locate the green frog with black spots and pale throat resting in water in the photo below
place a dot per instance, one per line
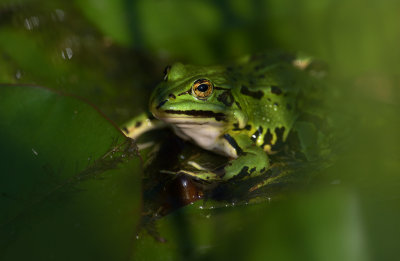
(243, 110)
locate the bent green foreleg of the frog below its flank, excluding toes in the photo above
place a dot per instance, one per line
(251, 159)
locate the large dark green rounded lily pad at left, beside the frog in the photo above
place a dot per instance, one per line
(69, 182)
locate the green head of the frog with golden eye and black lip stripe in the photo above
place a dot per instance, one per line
(195, 95)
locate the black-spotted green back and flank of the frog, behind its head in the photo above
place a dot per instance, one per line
(269, 92)
